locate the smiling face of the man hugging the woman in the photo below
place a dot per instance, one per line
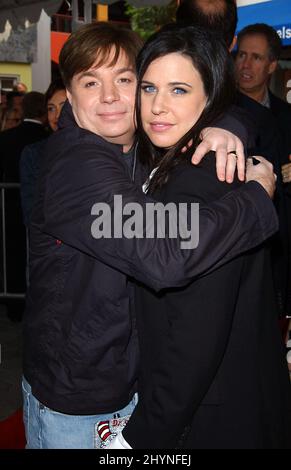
(103, 100)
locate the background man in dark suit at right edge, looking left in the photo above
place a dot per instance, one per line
(258, 53)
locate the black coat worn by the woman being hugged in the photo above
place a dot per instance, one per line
(213, 364)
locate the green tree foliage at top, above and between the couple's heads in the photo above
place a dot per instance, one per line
(148, 20)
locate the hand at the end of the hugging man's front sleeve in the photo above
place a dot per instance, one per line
(262, 173)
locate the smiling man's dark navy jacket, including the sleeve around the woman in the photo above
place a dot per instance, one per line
(80, 346)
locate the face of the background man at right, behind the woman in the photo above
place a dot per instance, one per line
(253, 65)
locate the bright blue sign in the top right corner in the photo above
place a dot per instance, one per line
(276, 13)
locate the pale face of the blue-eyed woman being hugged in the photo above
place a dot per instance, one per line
(172, 99)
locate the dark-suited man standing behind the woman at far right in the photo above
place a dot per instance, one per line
(258, 51)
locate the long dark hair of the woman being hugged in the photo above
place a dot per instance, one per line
(212, 60)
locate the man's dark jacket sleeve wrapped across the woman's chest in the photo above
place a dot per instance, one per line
(236, 223)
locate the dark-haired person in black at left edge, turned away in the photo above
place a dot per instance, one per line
(12, 142)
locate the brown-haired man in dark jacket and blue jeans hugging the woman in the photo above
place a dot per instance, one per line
(80, 344)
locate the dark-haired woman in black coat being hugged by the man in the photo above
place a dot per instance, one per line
(213, 372)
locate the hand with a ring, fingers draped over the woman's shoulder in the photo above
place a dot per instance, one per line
(224, 143)
